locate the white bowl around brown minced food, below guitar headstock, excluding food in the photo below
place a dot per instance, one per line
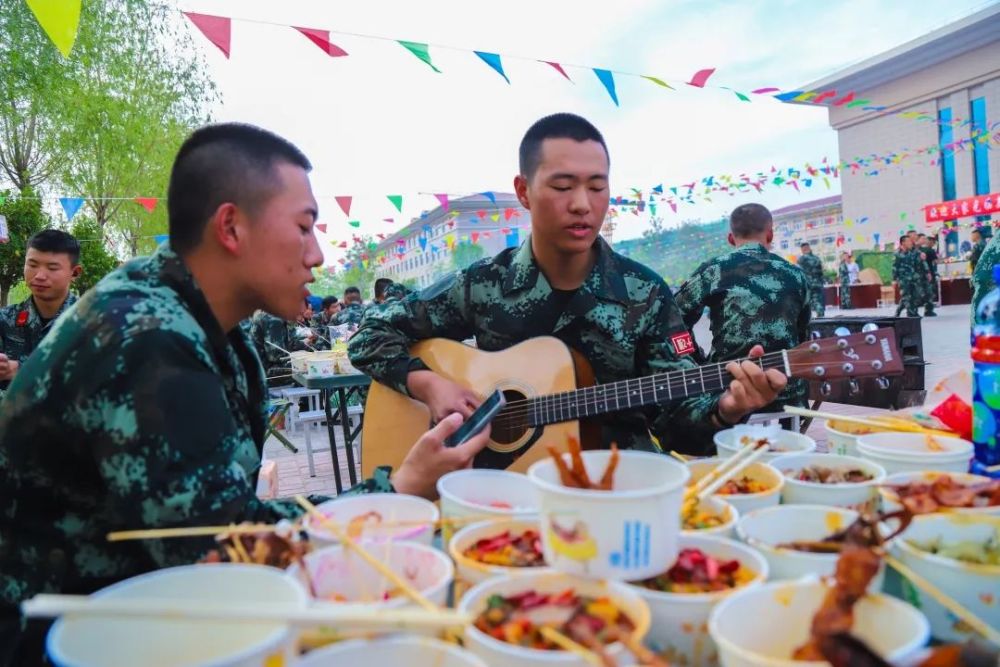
(860, 496)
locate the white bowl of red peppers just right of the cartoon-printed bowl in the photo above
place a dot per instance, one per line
(680, 600)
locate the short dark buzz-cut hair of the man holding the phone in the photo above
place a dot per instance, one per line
(224, 163)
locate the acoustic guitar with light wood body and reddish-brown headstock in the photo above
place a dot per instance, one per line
(549, 389)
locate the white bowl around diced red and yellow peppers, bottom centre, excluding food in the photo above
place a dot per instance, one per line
(497, 653)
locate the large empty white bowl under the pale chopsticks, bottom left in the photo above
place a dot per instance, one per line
(161, 642)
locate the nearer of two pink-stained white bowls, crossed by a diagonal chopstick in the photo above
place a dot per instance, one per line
(337, 575)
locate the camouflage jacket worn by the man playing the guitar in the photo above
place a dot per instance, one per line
(622, 319)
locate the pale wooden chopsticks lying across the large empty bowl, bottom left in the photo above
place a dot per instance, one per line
(343, 616)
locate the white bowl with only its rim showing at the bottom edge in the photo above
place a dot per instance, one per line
(409, 651)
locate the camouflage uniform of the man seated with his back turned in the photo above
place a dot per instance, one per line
(754, 297)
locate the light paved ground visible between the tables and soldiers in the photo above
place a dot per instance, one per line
(946, 349)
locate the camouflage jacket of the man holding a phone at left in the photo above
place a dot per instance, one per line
(137, 411)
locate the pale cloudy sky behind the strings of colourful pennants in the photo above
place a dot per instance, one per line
(381, 122)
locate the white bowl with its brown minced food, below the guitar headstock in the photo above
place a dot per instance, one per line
(830, 479)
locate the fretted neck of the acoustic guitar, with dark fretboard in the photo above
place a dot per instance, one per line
(637, 393)
